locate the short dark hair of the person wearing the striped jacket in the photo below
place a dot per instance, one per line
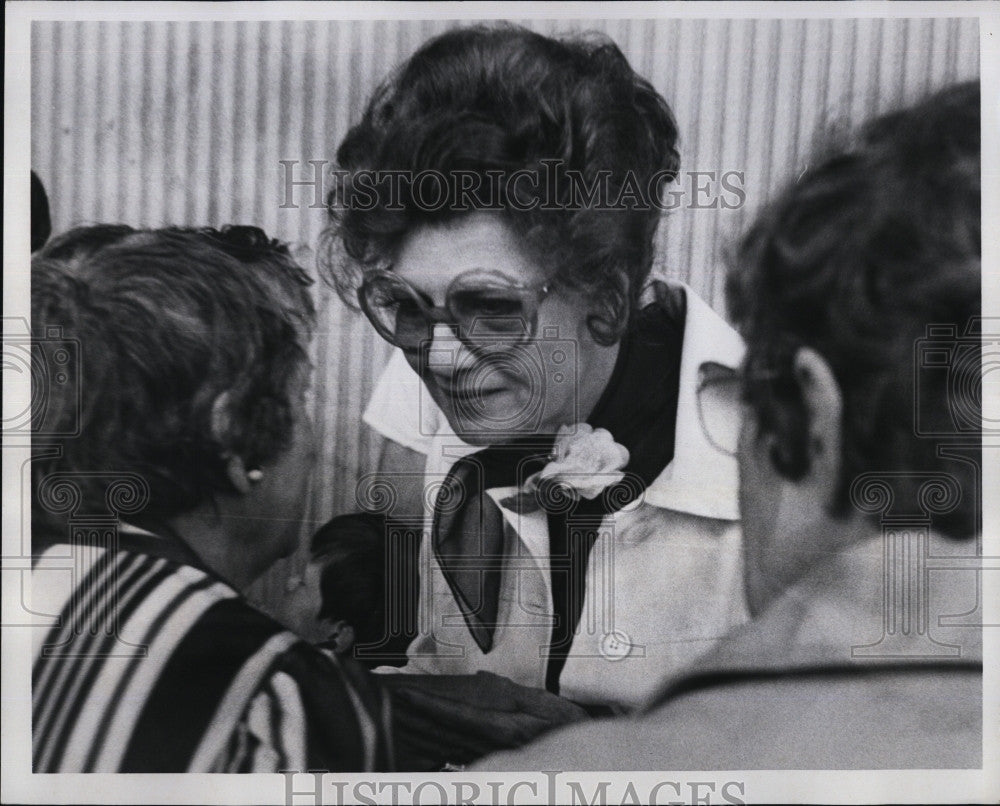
(166, 321)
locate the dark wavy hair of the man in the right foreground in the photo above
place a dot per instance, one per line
(876, 241)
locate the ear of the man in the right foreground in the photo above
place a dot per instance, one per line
(824, 408)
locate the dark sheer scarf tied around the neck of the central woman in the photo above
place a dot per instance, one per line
(639, 409)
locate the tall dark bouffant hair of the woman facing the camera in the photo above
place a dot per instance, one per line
(494, 102)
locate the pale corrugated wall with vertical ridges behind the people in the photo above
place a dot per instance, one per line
(185, 123)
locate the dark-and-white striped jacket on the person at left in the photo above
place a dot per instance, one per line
(153, 664)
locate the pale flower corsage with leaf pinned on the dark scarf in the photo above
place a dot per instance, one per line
(584, 463)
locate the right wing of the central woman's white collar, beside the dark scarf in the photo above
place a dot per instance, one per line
(699, 480)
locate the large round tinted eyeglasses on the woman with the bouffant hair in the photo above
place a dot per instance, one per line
(485, 305)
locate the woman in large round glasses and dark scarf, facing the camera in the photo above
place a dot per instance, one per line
(495, 223)
